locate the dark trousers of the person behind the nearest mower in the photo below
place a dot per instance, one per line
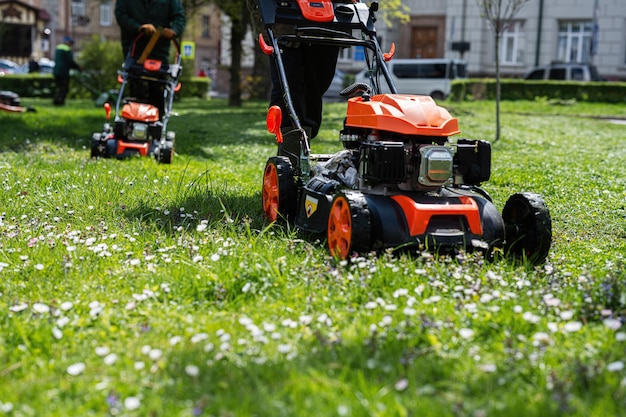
(309, 70)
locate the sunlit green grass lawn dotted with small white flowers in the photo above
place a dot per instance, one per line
(132, 288)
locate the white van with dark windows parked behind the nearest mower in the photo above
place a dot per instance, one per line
(432, 77)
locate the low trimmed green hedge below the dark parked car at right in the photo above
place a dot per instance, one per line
(516, 89)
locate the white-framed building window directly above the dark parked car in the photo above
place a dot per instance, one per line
(574, 43)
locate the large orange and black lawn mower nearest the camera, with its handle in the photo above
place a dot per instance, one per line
(399, 181)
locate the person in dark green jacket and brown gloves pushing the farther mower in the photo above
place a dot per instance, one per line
(145, 17)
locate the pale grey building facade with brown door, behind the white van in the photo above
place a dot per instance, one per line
(543, 31)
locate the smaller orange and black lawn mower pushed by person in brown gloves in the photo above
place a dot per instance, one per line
(138, 128)
